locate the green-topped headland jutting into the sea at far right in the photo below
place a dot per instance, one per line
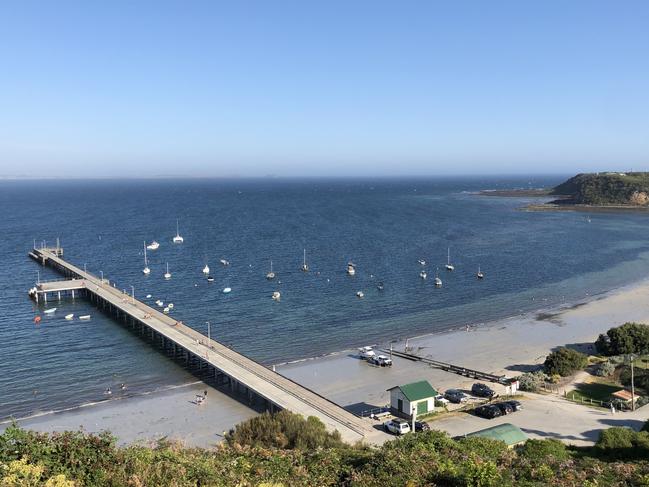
(605, 189)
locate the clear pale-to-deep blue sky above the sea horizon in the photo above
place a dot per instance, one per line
(220, 88)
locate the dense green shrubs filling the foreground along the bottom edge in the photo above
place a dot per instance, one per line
(252, 457)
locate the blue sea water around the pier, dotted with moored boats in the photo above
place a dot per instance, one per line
(531, 260)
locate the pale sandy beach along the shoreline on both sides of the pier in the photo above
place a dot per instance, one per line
(507, 346)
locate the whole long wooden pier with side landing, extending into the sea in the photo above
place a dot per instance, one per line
(231, 367)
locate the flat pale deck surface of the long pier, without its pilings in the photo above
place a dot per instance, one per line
(275, 388)
